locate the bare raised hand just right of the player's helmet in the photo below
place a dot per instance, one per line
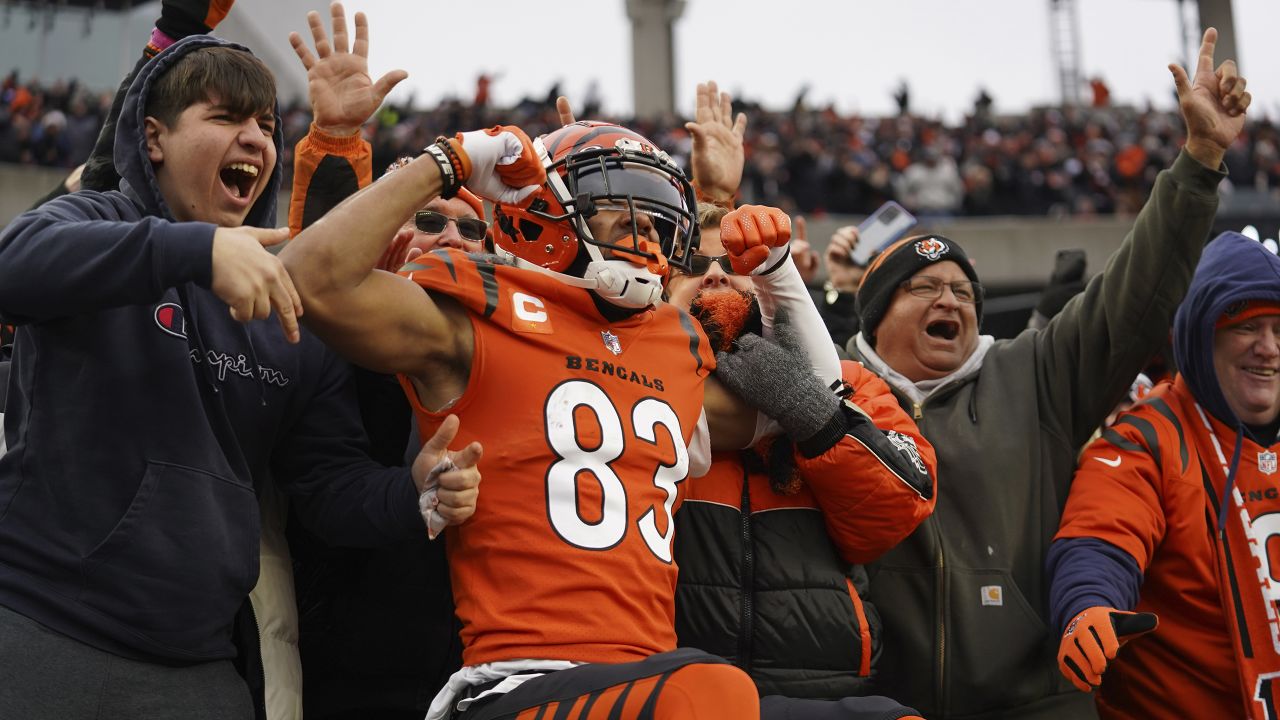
(719, 157)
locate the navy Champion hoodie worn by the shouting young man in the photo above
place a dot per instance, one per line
(143, 422)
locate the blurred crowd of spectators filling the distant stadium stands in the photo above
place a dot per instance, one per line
(1048, 162)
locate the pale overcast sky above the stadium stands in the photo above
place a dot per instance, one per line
(851, 53)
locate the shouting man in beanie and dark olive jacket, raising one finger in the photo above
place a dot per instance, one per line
(964, 599)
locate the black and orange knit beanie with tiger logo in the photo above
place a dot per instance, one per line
(898, 263)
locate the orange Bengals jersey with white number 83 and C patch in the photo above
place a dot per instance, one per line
(586, 427)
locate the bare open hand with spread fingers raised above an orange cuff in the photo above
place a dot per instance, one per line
(341, 92)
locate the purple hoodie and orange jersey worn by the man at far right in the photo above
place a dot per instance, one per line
(1173, 512)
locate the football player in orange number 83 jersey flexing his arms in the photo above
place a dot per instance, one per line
(589, 393)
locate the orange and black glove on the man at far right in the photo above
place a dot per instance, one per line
(1092, 640)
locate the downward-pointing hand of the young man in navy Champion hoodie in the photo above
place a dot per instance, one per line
(252, 281)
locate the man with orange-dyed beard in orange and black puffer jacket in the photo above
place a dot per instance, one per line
(772, 539)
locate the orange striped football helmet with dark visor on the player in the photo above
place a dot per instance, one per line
(598, 167)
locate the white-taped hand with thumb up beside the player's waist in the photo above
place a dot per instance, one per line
(449, 481)
